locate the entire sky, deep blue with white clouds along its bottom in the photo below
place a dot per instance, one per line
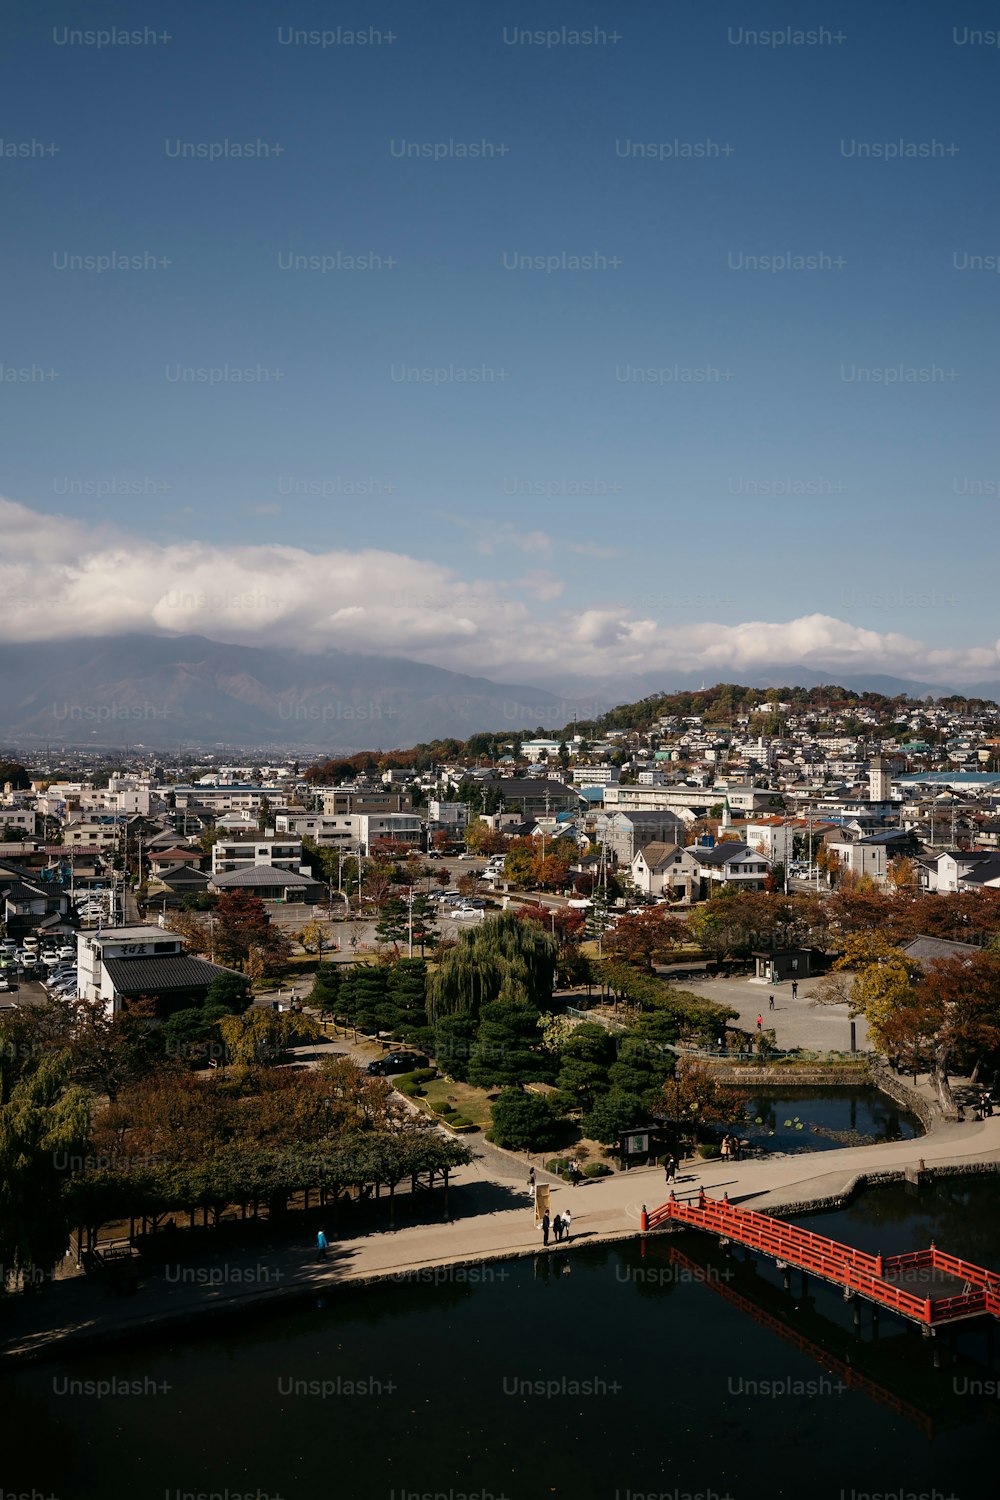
(813, 446)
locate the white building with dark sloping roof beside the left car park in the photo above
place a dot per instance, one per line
(142, 962)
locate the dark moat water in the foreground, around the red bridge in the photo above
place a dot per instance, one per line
(605, 1373)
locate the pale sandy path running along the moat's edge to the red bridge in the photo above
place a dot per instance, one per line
(491, 1219)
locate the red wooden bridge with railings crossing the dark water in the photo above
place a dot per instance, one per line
(959, 1289)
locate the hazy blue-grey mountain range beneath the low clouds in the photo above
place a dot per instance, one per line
(167, 691)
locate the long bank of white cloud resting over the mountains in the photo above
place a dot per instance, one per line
(62, 578)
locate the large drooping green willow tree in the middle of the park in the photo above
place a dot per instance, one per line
(501, 959)
